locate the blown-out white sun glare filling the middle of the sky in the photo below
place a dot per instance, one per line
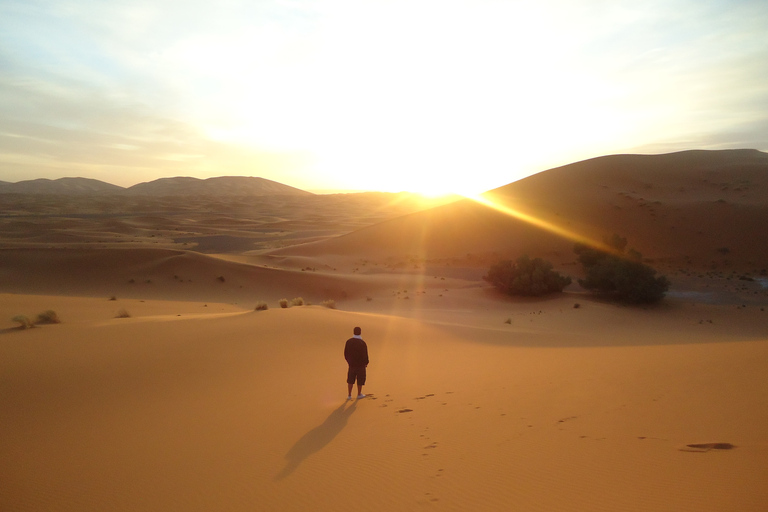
(390, 123)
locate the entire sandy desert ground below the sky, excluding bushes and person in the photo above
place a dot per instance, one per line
(171, 377)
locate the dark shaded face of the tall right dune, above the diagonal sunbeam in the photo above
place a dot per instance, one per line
(685, 206)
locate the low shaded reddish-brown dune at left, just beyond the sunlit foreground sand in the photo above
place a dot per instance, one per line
(164, 274)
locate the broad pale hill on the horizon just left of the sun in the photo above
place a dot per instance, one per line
(220, 186)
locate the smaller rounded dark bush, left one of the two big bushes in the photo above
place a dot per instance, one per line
(526, 277)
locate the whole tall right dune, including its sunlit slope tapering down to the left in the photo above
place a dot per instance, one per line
(684, 207)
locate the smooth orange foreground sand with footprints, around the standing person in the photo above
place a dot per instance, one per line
(226, 409)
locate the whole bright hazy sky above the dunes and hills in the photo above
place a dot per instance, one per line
(390, 95)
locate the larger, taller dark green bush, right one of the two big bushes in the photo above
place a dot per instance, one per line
(619, 274)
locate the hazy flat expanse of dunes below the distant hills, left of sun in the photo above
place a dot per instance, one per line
(193, 222)
